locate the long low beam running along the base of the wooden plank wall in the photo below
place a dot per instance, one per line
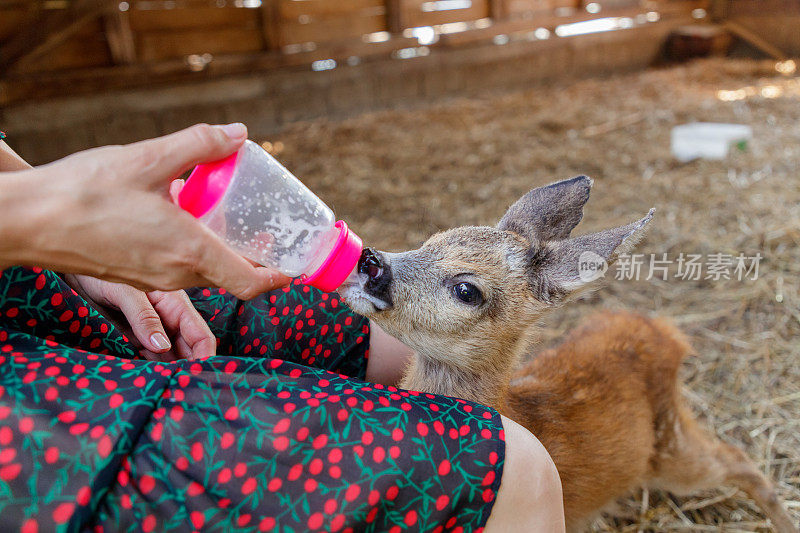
(267, 102)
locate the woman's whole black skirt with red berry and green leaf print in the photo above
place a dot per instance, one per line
(278, 433)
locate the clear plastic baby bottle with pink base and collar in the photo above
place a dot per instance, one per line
(262, 211)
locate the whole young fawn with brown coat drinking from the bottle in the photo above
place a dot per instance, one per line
(606, 403)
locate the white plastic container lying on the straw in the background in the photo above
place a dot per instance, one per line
(708, 140)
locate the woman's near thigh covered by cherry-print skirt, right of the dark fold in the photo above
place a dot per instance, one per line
(241, 443)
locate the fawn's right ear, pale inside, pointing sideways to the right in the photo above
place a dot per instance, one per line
(559, 269)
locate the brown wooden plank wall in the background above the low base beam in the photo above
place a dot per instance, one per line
(56, 47)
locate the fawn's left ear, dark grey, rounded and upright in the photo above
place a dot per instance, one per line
(550, 212)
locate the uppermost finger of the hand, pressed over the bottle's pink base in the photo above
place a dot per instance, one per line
(175, 153)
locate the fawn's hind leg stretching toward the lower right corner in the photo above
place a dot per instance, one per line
(694, 459)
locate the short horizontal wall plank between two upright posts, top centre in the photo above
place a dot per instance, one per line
(330, 29)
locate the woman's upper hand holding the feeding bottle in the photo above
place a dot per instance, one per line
(107, 213)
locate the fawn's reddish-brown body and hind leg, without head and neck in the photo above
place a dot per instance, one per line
(607, 406)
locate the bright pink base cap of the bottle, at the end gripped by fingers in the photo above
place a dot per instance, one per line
(206, 185)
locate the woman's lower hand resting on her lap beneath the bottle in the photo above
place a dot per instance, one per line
(164, 326)
